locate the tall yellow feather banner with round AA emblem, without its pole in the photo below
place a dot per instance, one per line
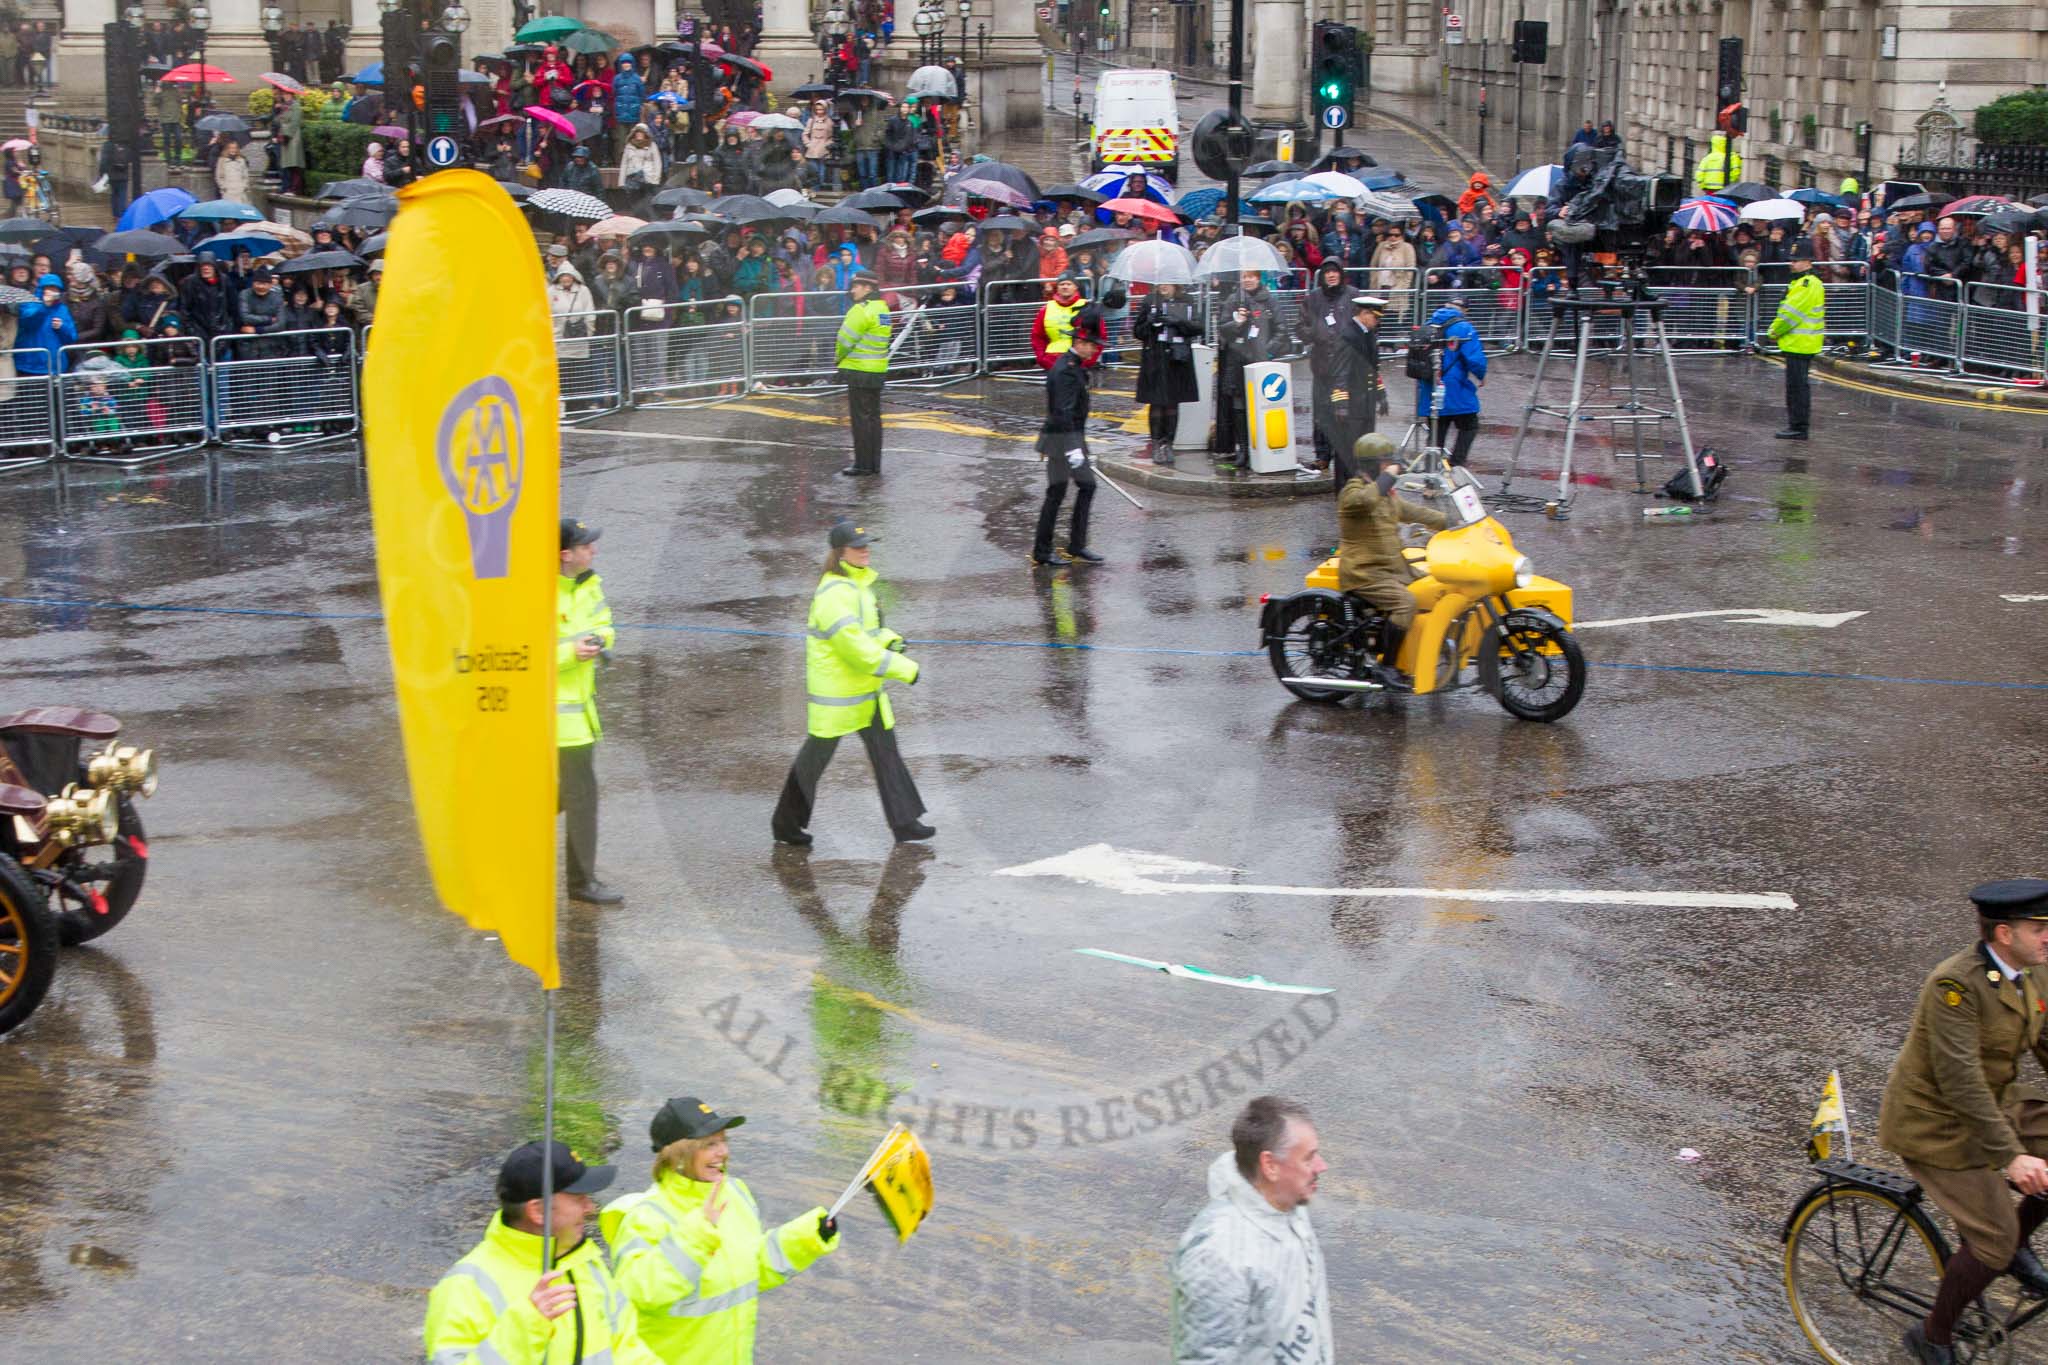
(460, 416)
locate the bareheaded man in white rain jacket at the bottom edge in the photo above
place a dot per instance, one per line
(1248, 1276)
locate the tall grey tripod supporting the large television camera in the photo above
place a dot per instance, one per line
(1633, 306)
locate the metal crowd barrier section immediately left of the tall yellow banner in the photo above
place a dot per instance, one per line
(286, 388)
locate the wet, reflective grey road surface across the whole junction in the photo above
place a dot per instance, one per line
(263, 1116)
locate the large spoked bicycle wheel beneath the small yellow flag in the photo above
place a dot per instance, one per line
(1861, 1270)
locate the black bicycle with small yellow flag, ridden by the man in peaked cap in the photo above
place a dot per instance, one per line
(1863, 1264)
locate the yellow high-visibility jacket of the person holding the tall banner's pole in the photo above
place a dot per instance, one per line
(482, 1311)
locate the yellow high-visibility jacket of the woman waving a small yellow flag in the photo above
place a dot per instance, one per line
(695, 1286)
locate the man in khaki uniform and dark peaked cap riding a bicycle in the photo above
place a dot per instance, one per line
(1959, 1116)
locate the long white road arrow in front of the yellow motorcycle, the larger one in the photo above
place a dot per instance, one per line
(1140, 875)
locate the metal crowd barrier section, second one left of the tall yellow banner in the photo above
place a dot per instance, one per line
(134, 402)
